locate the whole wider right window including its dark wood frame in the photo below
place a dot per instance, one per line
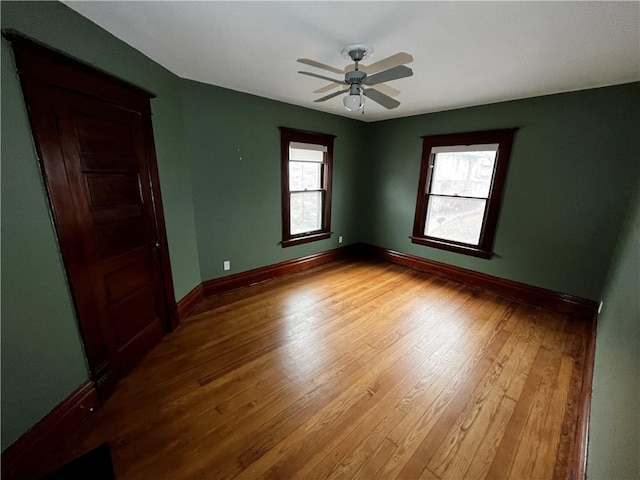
(460, 189)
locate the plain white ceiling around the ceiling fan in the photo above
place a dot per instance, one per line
(466, 53)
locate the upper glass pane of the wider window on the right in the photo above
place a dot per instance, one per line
(465, 173)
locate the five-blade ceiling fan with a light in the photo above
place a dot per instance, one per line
(360, 78)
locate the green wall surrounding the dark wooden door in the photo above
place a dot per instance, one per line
(42, 358)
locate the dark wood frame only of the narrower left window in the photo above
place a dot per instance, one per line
(288, 135)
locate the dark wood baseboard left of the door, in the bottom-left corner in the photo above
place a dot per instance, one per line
(22, 459)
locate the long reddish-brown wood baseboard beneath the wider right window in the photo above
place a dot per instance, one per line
(542, 297)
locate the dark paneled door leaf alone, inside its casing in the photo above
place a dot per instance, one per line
(103, 151)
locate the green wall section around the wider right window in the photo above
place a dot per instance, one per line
(574, 160)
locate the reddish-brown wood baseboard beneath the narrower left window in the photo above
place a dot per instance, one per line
(218, 286)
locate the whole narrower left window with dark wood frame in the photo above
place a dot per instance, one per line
(306, 186)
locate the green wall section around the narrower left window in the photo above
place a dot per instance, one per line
(234, 150)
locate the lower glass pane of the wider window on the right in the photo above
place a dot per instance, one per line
(457, 219)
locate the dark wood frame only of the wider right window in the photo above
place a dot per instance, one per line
(484, 248)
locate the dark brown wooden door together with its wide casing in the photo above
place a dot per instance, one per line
(98, 162)
